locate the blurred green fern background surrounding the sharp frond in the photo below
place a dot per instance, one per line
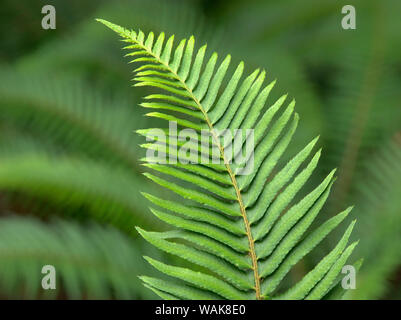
(70, 175)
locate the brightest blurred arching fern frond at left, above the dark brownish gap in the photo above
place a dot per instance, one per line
(95, 190)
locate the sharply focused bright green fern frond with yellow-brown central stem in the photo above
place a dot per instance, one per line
(240, 232)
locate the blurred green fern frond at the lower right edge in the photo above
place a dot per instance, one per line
(379, 209)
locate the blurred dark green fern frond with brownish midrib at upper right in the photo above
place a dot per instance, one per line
(364, 111)
